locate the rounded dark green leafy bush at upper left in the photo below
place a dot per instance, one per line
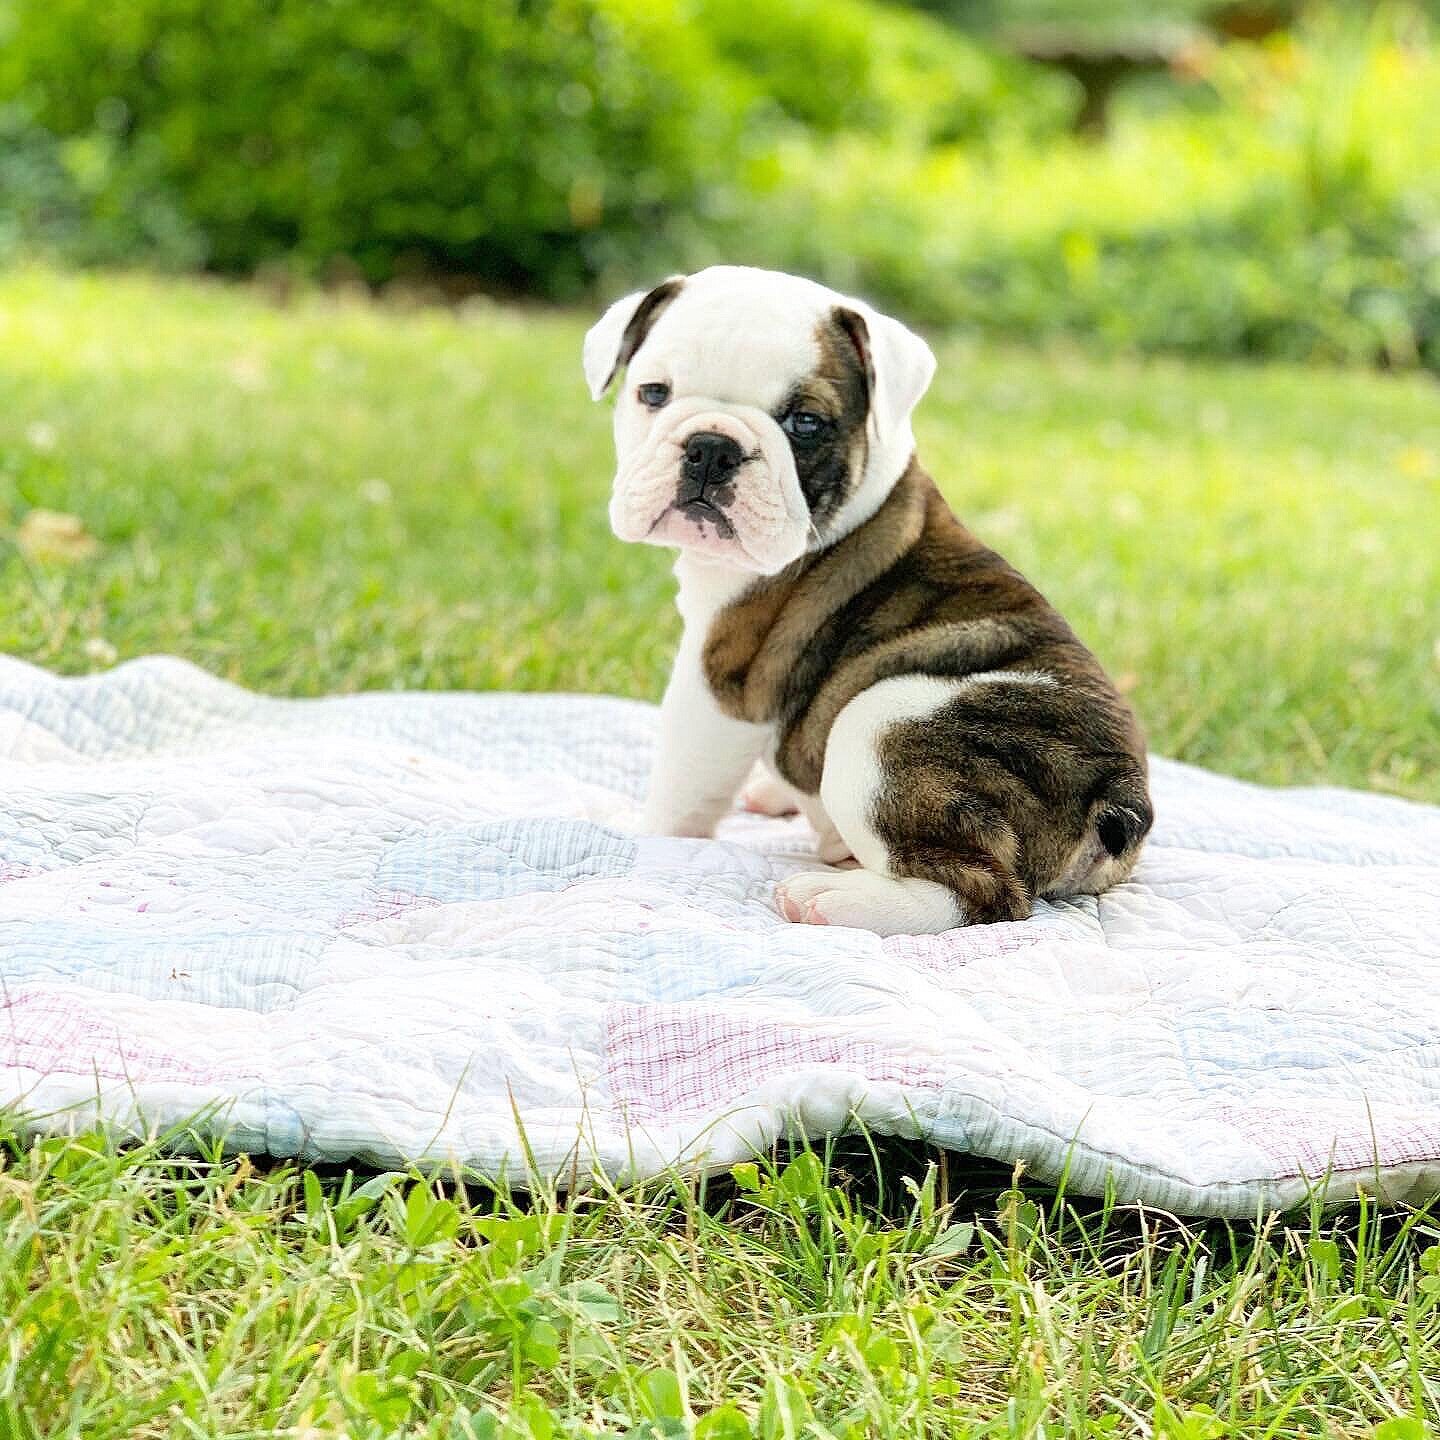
(495, 139)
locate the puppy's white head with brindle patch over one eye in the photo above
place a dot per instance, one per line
(762, 415)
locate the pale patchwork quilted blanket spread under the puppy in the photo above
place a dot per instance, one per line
(417, 928)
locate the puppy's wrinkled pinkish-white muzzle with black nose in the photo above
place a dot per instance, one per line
(714, 480)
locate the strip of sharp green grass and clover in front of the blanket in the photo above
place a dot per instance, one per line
(145, 1295)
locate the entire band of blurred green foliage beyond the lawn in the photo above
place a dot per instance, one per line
(1266, 198)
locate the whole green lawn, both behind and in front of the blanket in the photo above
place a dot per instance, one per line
(326, 495)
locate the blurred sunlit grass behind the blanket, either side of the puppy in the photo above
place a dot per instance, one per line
(342, 498)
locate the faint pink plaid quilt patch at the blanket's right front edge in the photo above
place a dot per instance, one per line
(1317, 1140)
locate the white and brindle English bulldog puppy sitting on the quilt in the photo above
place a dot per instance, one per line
(896, 680)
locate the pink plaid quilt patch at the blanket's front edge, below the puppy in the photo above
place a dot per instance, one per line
(675, 1062)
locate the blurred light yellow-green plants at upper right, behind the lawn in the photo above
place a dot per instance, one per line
(1291, 212)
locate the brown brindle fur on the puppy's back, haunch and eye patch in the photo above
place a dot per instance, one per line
(997, 791)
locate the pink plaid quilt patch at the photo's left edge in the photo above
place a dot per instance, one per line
(55, 1036)
